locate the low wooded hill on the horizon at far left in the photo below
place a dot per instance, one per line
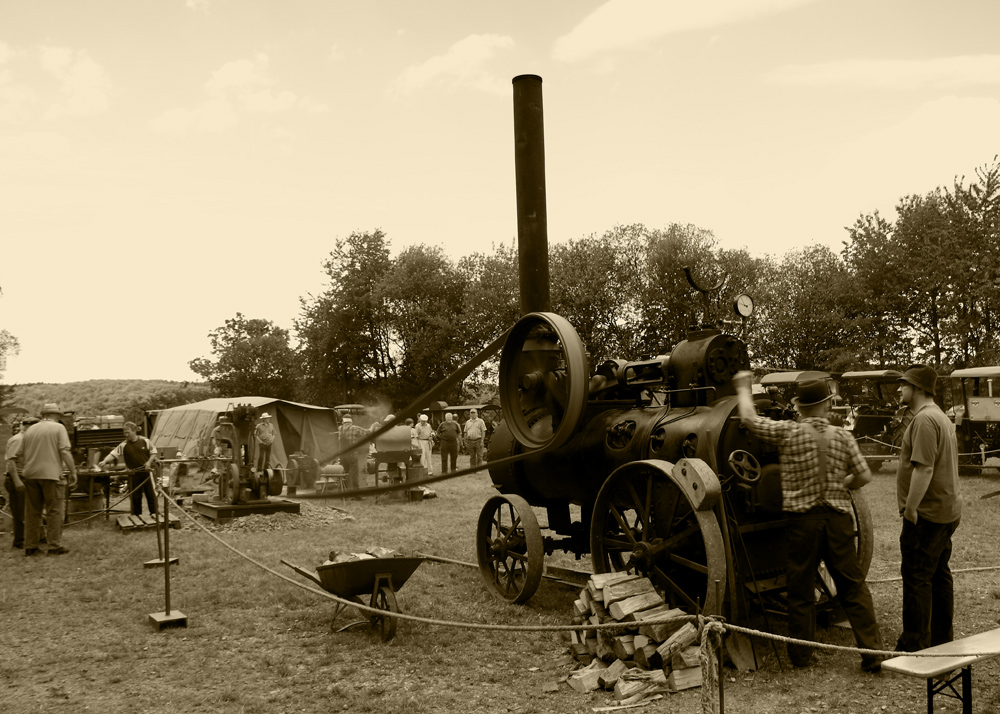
(126, 397)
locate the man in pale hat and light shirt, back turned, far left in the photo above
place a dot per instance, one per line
(46, 450)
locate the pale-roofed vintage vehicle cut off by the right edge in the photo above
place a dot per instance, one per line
(976, 398)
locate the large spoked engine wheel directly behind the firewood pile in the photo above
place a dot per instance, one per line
(645, 524)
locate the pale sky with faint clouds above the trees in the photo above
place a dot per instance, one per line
(165, 164)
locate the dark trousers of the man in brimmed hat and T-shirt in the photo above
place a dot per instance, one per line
(928, 588)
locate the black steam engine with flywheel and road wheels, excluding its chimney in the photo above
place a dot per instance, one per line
(679, 491)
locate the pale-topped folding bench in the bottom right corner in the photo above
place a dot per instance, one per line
(941, 673)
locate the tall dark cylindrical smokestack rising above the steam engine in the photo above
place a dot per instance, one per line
(529, 169)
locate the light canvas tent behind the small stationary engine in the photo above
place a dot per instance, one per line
(300, 427)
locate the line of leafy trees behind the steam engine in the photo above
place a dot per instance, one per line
(922, 287)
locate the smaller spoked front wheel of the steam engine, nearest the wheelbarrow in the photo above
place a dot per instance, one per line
(509, 548)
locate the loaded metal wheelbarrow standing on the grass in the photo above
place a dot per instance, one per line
(379, 578)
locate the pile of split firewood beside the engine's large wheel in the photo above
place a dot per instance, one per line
(641, 659)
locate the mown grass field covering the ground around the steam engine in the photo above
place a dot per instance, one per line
(75, 635)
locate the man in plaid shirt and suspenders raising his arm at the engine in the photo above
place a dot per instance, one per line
(819, 464)
